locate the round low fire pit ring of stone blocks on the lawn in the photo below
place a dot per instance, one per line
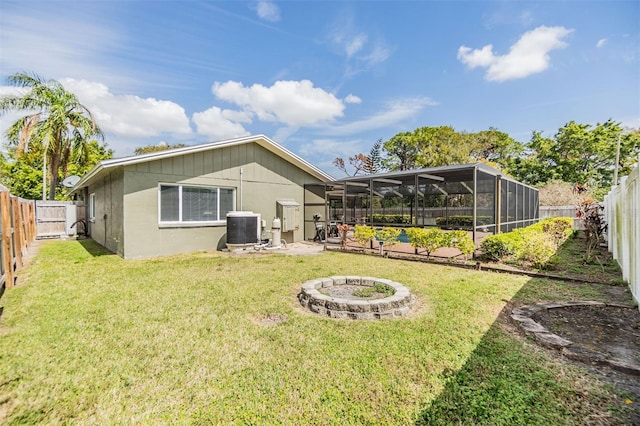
(337, 297)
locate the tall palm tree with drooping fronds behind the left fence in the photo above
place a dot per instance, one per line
(55, 120)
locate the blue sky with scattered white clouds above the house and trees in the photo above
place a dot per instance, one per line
(328, 79)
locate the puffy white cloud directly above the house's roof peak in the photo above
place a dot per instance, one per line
(294, 103)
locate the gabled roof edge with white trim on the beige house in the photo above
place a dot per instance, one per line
(261, 140)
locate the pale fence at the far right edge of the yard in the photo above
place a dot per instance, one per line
(622, 213)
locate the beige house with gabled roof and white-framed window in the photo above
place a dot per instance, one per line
(176, 201)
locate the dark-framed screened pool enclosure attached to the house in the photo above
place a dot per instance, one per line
(475, 197)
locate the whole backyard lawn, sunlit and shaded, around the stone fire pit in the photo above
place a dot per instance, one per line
(90, 338)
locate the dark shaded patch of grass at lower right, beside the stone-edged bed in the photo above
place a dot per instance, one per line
(505, 381)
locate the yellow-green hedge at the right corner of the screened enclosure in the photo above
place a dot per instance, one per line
(536, 244)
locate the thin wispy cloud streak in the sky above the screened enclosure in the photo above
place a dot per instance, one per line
(395, 113)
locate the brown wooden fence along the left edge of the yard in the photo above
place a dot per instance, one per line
(17, 232)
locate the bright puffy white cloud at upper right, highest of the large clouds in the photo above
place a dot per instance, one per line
(529, 55)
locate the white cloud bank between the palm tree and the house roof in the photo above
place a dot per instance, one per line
(129, 115)
